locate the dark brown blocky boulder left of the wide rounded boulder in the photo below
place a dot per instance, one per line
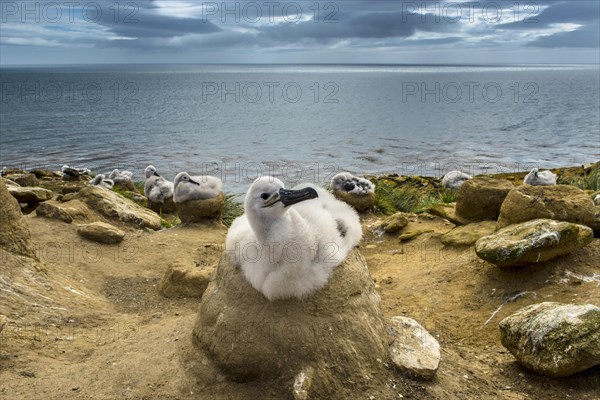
(480, 198)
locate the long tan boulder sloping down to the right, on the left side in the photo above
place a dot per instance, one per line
(114, 206)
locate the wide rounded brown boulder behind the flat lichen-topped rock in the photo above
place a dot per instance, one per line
(558, 202)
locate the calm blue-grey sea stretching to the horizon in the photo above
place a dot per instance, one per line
(299, 122)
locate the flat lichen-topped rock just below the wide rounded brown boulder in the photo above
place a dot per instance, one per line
(533, 241)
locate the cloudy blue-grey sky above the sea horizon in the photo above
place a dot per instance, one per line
(344, 31)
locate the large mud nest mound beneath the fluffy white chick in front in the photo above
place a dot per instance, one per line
(339, 331)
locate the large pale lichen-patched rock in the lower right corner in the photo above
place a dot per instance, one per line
(554, 339)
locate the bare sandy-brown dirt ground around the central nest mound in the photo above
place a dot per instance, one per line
(116, 337)
